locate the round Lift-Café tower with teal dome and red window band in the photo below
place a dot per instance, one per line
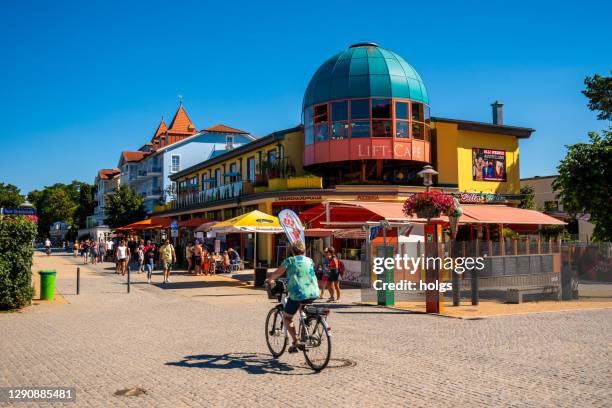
(366, 103)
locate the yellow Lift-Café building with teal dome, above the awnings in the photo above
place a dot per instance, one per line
(366, 133)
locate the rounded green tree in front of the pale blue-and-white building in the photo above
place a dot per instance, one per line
(124, 207)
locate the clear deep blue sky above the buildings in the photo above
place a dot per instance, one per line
(82, 81)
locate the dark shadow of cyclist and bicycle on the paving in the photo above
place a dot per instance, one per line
(252, 363)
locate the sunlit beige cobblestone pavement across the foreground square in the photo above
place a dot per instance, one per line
(208, 349)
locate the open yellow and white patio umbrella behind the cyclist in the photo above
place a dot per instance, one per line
(255, 222)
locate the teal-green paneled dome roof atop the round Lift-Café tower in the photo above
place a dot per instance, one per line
(362, 71)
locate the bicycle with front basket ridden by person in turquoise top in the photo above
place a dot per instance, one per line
(313, 330)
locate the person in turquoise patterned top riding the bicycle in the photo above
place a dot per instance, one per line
(302, 287)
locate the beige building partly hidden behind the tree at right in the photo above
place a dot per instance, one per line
(546, 200)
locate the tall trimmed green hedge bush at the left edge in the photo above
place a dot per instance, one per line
(16, 236)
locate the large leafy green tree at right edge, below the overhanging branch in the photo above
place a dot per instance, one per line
(583, 185)
